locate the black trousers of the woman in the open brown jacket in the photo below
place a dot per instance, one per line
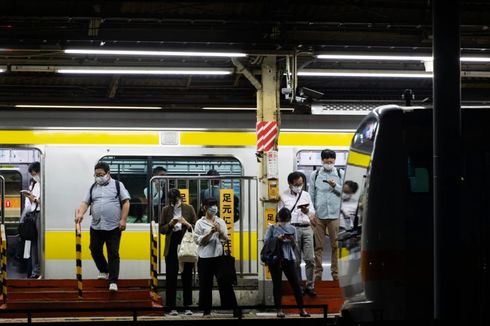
(172, 265)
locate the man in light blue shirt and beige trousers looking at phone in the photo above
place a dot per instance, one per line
(325, 190)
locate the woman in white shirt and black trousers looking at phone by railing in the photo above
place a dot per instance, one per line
(209, 234)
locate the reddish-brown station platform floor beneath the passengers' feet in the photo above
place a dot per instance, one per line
(55, 301)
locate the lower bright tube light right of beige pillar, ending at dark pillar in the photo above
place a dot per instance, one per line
(363, 73)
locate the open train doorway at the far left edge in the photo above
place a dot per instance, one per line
(14, 166)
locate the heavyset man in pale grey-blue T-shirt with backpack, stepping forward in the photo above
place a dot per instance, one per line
(109, 201)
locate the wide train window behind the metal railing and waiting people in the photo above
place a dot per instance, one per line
(136, 171)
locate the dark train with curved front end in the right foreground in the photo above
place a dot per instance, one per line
(386, 256)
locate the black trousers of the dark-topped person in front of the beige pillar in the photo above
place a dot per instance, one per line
(289, 269)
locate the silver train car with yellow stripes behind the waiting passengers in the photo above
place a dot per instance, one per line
(68, 157)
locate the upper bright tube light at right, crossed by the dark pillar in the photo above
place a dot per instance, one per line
(367, 57)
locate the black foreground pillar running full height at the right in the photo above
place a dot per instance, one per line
(449, 266)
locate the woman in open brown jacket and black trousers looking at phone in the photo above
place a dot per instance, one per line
(176, 219)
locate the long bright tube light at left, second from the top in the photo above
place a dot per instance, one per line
(143, 71)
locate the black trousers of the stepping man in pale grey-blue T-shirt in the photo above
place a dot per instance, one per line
(111, 239)
